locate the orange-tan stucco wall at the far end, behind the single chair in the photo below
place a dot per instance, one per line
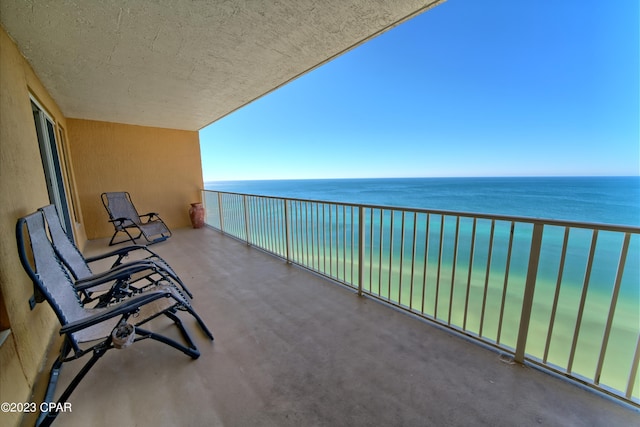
(159, 167)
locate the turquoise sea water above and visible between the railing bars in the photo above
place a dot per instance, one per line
(459, 284)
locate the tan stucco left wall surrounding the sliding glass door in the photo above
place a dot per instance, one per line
(22, 190)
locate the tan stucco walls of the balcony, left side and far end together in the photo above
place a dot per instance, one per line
(159, 167)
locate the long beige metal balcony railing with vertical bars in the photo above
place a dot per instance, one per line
(564, 296)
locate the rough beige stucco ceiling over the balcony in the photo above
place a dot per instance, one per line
(184, 64)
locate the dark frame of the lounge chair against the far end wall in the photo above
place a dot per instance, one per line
(123, 224)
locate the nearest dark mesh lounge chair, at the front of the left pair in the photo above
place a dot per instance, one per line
(94, 330)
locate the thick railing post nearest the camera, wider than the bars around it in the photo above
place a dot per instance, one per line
(529, 288)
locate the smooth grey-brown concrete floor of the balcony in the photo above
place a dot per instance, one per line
(293, 349)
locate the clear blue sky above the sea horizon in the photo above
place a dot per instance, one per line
(469, 88)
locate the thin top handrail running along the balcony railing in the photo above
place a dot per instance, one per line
(497, 217)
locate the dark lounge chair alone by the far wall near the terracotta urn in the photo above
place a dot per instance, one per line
(124, 216)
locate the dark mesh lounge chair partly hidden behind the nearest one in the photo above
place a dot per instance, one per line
(153, 267)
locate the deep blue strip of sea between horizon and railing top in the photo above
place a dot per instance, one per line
(611, 200)
